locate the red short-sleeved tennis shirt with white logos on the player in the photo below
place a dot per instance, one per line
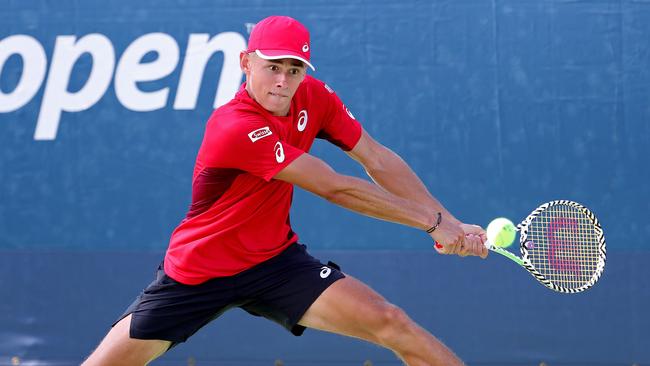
(239, 216)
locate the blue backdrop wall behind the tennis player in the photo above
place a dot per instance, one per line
(498, 105)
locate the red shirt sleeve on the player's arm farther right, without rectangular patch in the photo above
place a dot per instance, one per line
(339, 127)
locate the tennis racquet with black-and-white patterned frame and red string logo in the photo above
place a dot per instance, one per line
(562, 245)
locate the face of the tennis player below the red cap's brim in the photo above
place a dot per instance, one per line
(272, 83)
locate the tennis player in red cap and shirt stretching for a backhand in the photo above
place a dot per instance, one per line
(236, 246)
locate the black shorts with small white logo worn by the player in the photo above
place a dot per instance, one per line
(280, 289)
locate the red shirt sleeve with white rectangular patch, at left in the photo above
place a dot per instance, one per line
(248, 145)
